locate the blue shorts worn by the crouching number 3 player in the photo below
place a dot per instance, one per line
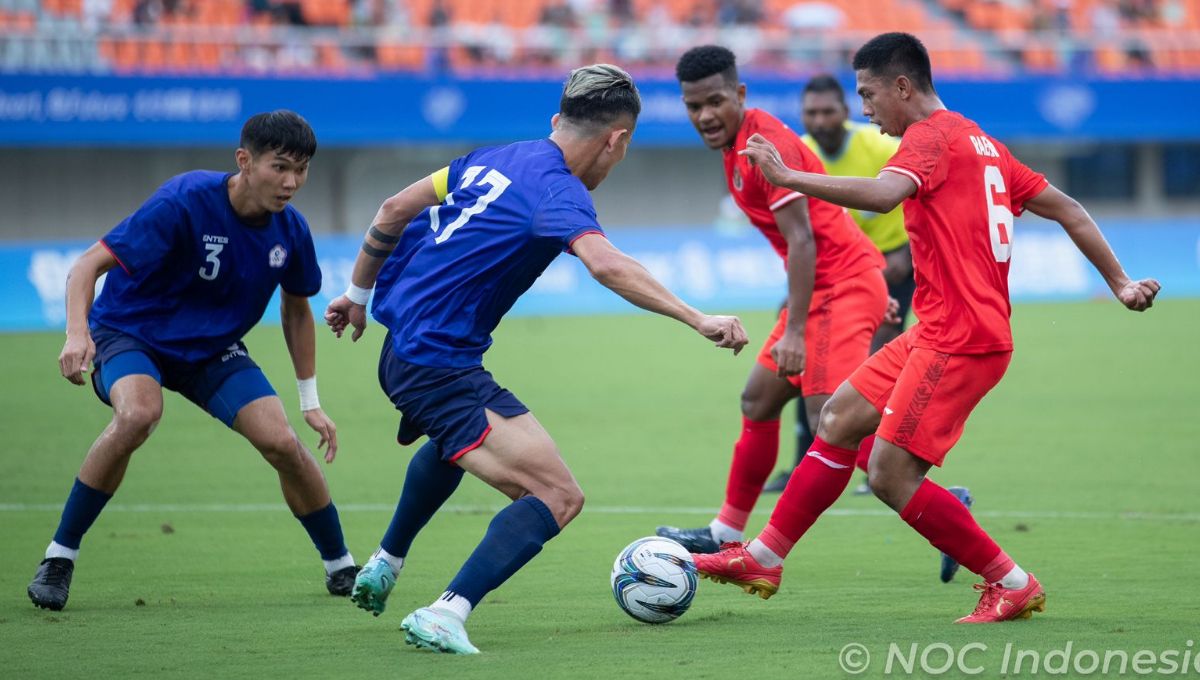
(221, 386)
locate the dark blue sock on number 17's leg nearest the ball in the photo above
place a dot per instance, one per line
(515, 535)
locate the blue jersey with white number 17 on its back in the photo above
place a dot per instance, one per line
(460, 266)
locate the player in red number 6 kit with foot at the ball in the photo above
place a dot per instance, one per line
(961, 191)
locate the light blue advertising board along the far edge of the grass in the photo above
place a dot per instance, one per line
(710, 269)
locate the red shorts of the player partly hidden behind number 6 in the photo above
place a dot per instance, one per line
(838, 334)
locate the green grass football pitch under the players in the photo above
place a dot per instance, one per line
(1084, 464)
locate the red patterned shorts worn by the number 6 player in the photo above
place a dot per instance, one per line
(926, 396)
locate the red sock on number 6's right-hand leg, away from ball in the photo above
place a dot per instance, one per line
(946, 523)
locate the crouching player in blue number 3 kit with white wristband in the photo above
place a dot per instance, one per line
(190, 273)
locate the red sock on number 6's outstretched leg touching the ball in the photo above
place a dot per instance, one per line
(818, 482)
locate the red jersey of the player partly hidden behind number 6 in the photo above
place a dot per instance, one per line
(843, 250)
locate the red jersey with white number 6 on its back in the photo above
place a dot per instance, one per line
(961, 225)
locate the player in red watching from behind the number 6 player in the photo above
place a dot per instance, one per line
(837, 297)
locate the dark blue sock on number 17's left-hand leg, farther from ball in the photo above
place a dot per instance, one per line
(429, 483)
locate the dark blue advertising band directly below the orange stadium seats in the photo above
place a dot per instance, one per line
(49, 111)
